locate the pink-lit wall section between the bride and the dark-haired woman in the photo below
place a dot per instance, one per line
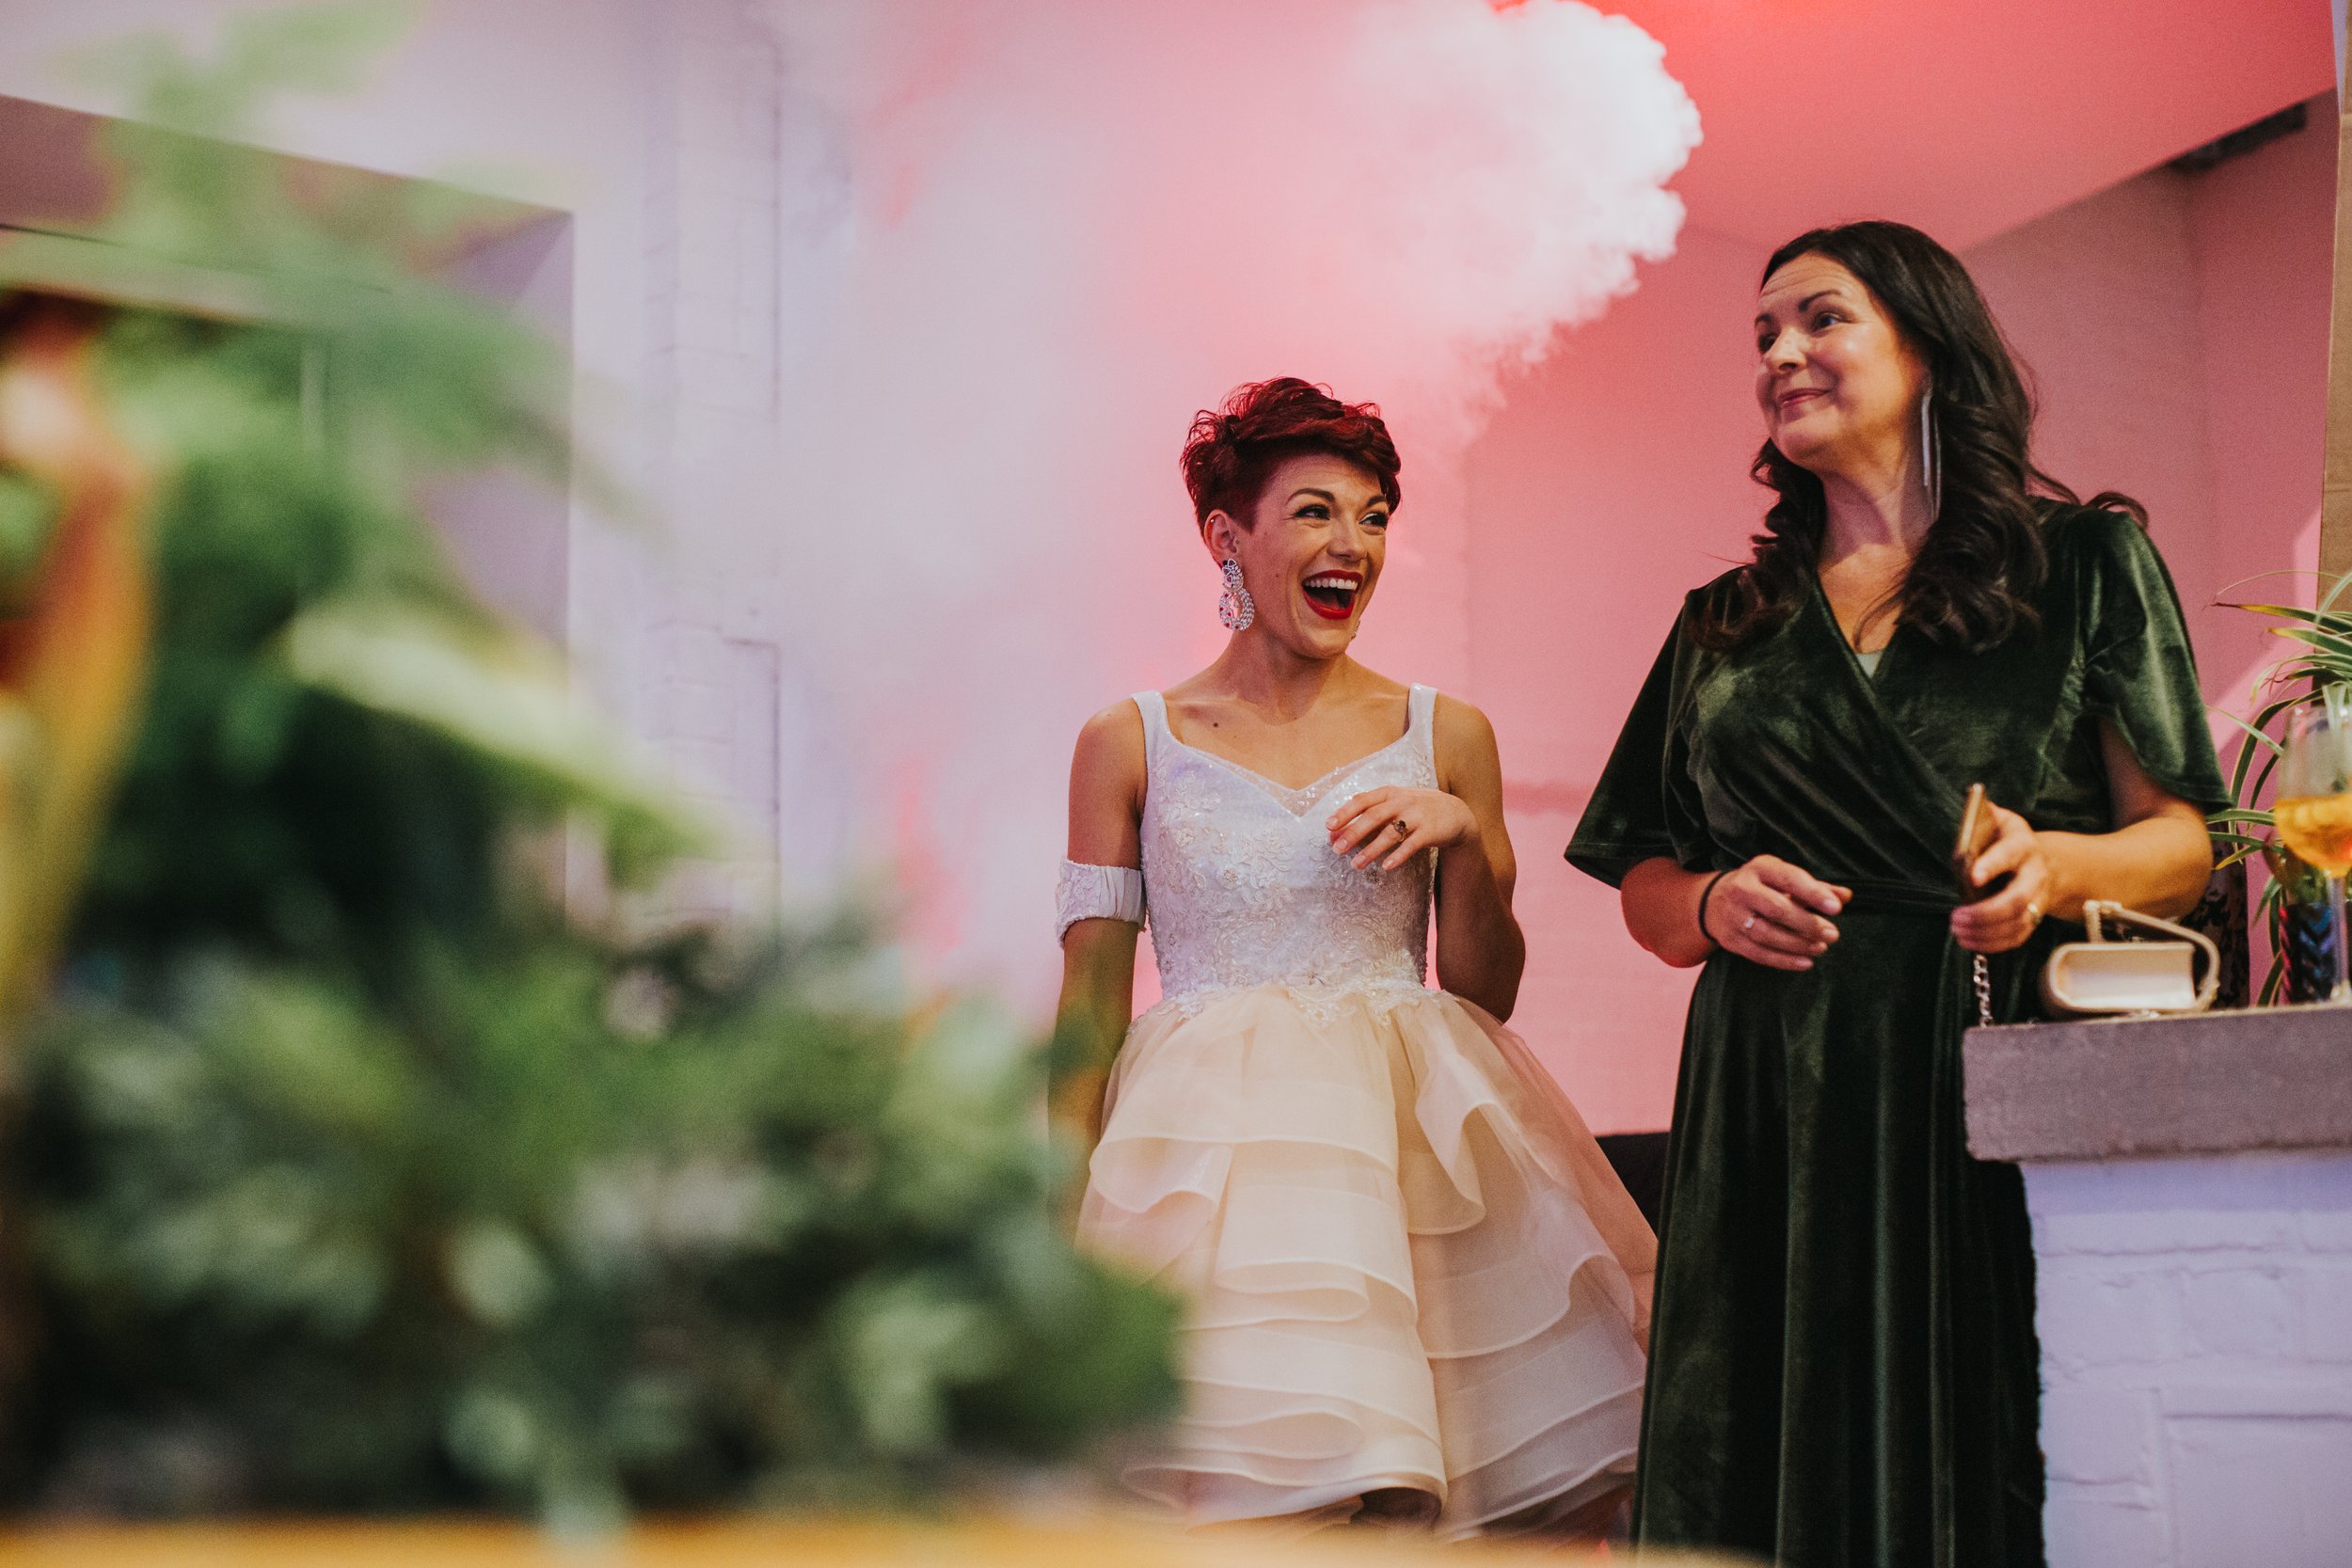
(1612, 481)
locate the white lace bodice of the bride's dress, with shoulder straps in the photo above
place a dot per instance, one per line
(1243, 883)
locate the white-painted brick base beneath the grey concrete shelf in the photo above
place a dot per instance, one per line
(2196, 1360)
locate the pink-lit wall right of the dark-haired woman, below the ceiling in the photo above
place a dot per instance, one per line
(2179, 333)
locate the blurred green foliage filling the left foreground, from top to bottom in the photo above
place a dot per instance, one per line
(347, 1170)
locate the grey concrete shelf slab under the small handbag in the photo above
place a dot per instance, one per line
(2156, 1087)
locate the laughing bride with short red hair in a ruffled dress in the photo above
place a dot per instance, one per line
(1417, 1292)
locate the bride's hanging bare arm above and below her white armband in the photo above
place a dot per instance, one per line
(1097, 956)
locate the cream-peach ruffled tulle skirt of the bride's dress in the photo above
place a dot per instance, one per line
(1408, 1264)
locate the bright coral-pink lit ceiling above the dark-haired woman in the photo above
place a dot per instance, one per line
(1963, 116)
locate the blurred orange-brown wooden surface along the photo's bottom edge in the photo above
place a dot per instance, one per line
(754, 1546)
